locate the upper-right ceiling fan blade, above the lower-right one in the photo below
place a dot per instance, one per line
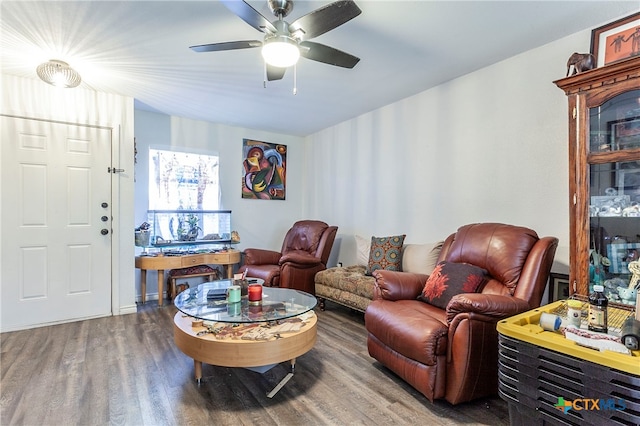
(324, 19)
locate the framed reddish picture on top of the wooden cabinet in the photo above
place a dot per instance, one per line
(617, 40)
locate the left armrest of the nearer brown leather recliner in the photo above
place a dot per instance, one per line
(394, 285)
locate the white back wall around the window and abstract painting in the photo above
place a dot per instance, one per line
(260, 223)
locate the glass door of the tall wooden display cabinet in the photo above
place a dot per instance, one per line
(614, 195)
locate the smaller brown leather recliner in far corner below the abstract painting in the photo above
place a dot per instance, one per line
(305, 251)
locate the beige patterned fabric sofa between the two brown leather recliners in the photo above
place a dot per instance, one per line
(351, 286)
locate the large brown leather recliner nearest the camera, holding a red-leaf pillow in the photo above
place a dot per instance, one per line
(453, 353)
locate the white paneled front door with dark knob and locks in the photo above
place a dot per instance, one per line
(56, 222)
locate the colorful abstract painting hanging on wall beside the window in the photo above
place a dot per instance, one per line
(264, 167)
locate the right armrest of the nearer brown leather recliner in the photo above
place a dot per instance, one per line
(491, 305)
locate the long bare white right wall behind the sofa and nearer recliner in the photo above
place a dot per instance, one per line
(489, 146)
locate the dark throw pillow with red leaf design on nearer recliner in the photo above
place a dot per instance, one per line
(449, 279)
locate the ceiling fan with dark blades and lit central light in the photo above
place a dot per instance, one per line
(283, 38)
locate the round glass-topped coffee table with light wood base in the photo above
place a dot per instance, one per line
(255, 336)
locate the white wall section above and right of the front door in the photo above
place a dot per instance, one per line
(32, 98)
